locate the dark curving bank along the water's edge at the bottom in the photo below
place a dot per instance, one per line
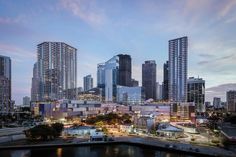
(137, 141)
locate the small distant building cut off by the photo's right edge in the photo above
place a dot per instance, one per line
(231, 101)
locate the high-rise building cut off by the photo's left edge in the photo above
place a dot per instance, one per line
(6, 104)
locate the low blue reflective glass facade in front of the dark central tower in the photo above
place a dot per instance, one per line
(130, 95)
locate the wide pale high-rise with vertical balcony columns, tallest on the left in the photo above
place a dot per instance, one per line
(57, 69)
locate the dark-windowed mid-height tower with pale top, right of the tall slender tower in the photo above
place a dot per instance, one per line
(196, 93)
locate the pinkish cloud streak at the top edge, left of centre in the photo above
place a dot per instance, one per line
(86, 10)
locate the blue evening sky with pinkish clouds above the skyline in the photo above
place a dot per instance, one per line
(100, 29)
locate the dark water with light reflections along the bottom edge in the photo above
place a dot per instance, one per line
(120, 150)
